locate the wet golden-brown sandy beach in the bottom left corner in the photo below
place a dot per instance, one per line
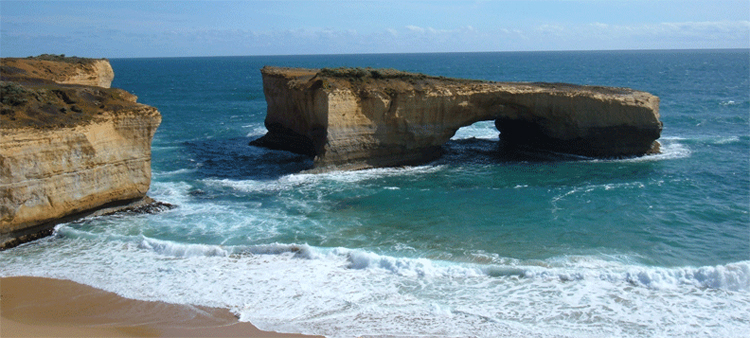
(43, 307)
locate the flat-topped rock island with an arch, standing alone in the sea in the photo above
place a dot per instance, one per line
(363, 118)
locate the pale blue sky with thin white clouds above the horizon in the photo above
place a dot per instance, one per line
(119, 29)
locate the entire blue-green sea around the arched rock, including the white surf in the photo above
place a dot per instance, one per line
(479, 243)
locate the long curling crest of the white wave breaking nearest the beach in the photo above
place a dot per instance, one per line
(732, 277)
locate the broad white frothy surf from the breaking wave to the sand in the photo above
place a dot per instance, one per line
(342, 292)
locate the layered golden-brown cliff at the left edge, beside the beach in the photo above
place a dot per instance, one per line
(67, 150)
